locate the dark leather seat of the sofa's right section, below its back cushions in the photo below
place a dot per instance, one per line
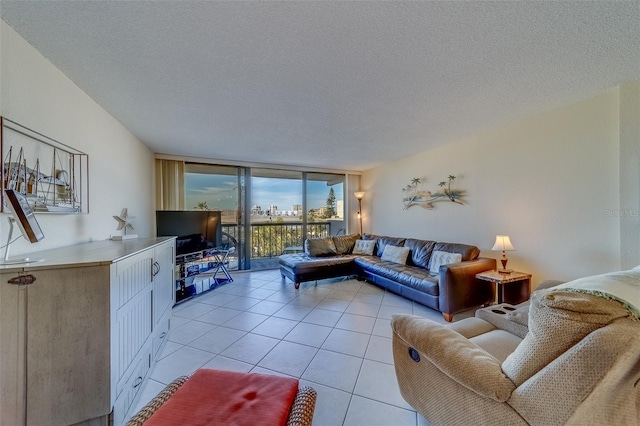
(410, 276)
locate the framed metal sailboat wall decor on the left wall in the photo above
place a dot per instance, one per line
(54, 177)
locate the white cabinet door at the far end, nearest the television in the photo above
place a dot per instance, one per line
(163, 292)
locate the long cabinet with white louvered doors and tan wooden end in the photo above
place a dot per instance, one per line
(78, 342)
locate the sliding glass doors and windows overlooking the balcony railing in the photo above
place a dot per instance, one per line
(265, 212)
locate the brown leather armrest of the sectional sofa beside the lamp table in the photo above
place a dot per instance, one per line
(459, 288)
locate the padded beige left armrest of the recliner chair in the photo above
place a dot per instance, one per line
(454, 355)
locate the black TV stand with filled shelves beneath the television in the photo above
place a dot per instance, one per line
(201, 271)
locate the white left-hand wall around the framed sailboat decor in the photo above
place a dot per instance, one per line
(36, 94)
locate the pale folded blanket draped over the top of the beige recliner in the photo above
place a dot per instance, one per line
(622, 286)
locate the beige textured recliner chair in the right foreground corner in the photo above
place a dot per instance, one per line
(578, 363)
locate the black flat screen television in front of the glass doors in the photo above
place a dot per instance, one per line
(195, 229)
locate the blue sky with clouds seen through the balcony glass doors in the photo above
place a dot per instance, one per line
(220, 192)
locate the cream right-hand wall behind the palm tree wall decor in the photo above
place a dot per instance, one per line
(551, 182)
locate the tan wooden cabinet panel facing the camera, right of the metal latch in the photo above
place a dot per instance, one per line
(68, 345)
